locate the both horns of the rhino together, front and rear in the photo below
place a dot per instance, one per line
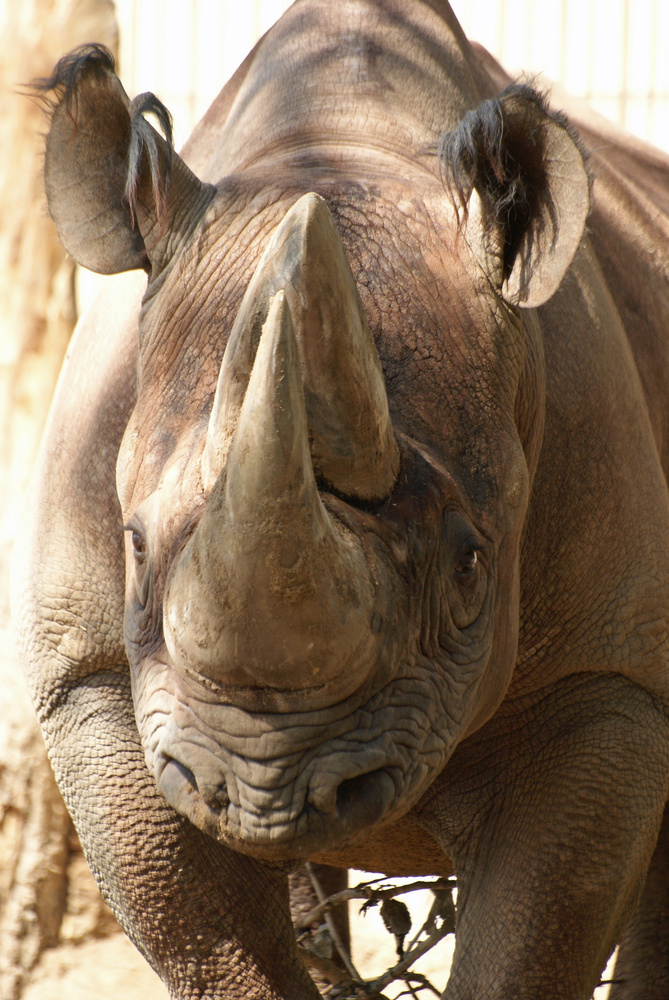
(274, 590)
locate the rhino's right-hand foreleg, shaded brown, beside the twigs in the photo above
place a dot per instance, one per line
(550, 814)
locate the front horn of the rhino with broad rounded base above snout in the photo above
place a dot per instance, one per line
(271, 590)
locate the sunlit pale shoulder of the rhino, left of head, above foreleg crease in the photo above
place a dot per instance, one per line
(68, 577)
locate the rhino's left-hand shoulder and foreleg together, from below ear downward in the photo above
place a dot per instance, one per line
(214, 924)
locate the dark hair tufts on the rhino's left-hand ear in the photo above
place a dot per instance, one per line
(63, 85)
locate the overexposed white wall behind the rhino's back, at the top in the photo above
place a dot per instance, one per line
(612, 53)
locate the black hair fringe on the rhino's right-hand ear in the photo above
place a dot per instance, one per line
(502, 156)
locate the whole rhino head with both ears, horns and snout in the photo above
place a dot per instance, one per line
(322, 561)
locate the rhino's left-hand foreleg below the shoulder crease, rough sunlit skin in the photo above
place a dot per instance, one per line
(213, 923)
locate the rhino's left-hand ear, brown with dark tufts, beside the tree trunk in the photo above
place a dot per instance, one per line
(115, 188)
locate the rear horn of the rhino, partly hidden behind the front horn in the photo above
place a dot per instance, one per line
(352, 445)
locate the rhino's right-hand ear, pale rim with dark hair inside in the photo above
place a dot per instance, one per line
(520, 184)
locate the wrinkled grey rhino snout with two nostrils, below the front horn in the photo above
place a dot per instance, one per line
(285, 785)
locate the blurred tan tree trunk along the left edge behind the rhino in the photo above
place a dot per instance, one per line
(46, 892)
